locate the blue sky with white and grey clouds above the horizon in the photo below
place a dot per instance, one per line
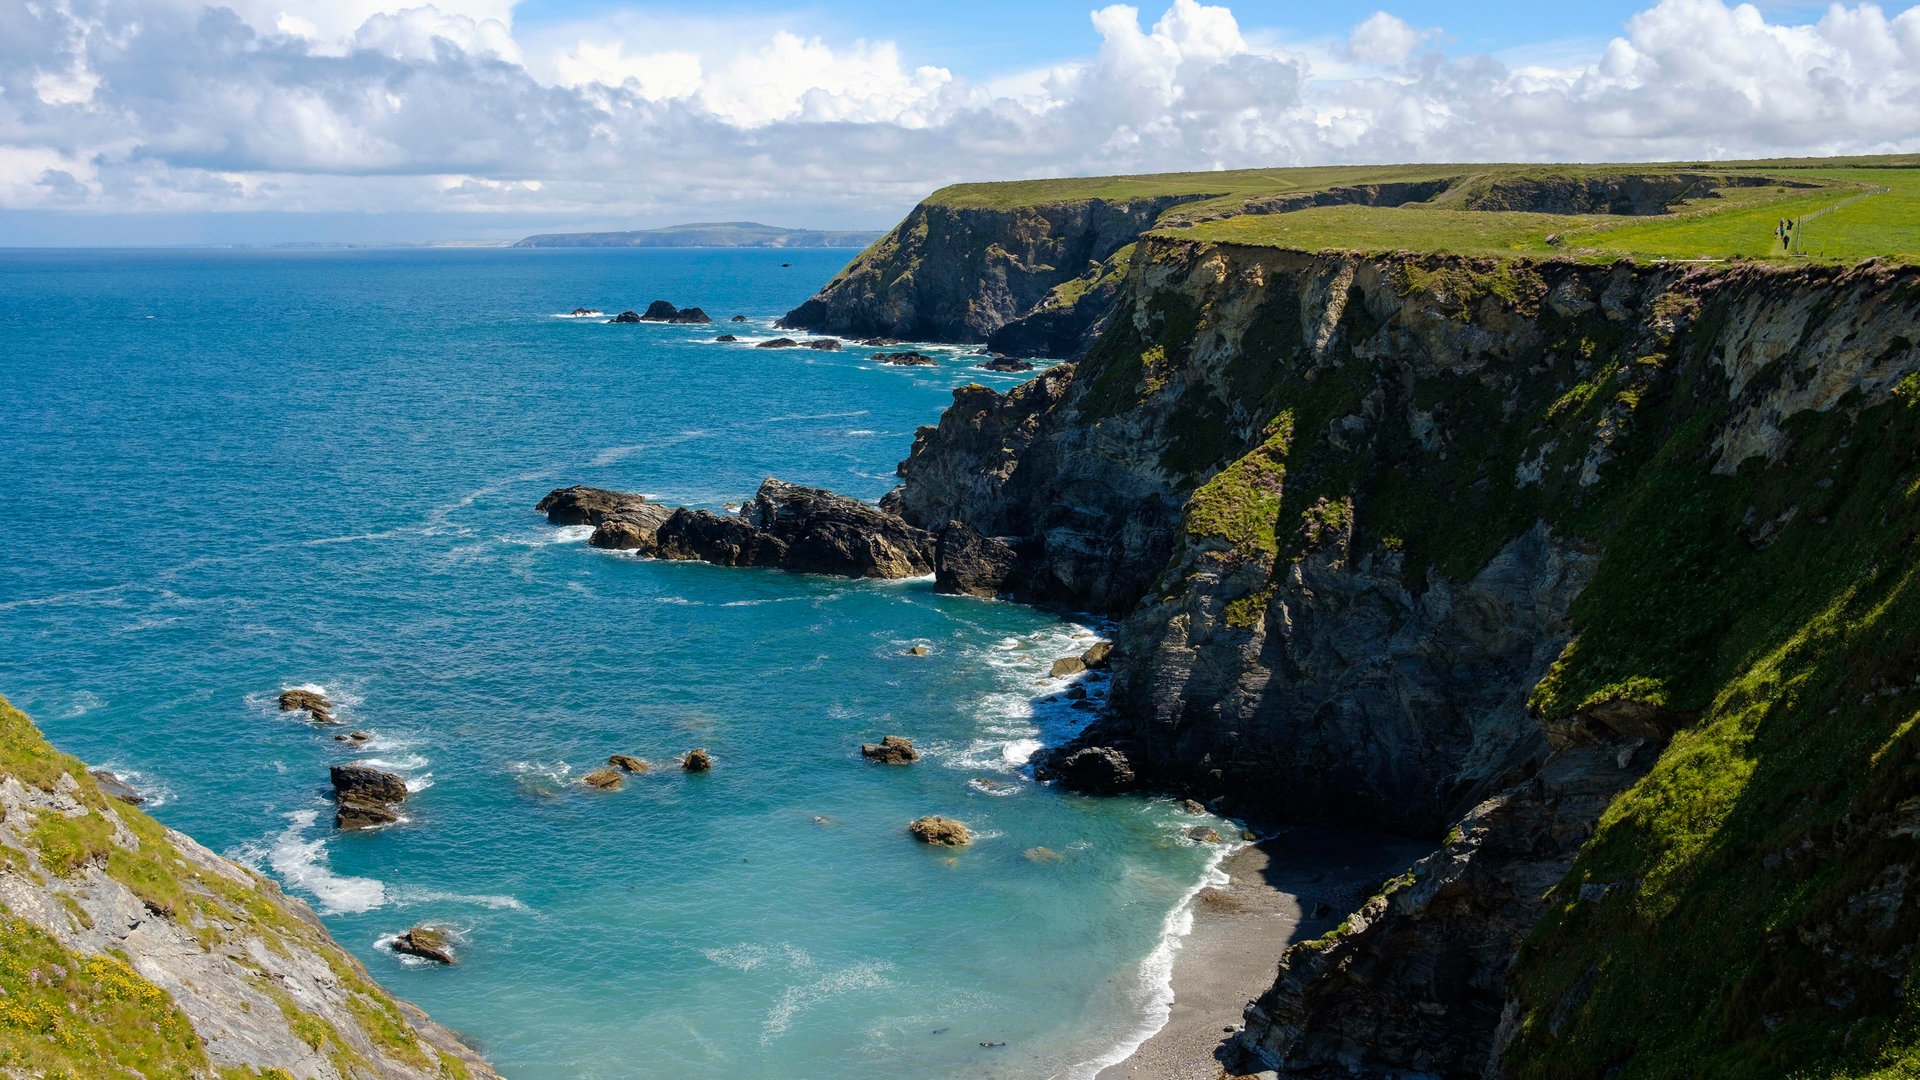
(178, 122)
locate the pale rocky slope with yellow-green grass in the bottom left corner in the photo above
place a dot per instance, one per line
(128, 950)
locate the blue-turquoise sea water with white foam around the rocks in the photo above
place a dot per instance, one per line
(228, 474)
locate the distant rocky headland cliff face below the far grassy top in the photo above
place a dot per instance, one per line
(963, 274)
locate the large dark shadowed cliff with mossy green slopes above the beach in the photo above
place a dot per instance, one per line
(1600, 570)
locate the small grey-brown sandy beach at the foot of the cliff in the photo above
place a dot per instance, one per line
(1285, 889)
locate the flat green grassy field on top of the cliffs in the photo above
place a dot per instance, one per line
(1848, 209)
